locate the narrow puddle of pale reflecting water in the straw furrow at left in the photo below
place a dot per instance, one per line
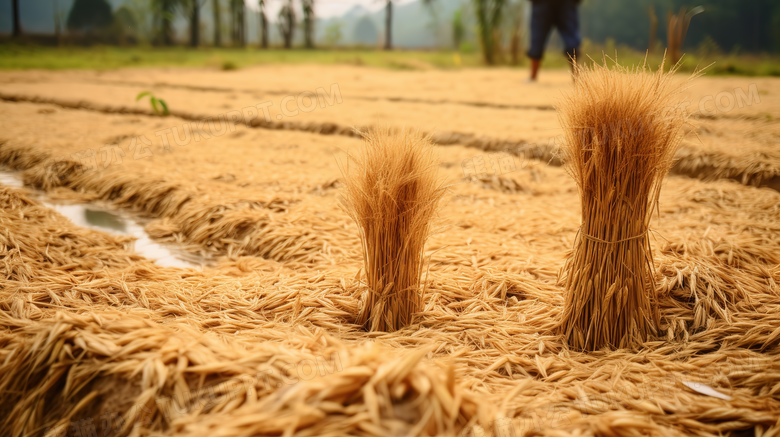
(93, 217)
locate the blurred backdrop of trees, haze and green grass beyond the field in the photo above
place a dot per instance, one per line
(742, 36)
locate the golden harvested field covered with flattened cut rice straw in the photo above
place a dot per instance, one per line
(262, 327)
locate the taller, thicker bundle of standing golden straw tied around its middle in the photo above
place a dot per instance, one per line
(622, 128)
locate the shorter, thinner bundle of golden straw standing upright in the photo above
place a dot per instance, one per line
(392, 192)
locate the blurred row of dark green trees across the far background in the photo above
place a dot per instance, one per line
(497, 25)
